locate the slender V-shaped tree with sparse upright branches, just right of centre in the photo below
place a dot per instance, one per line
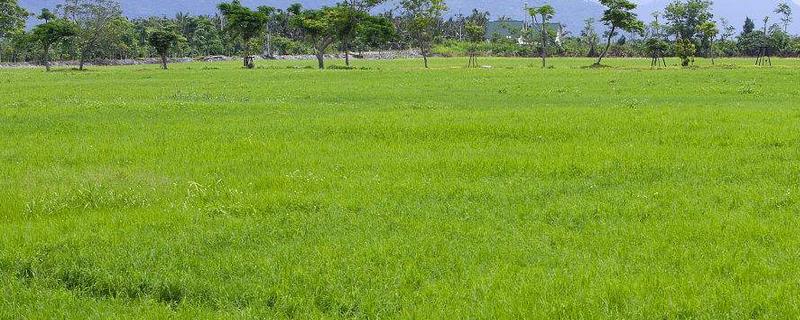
(423, 17)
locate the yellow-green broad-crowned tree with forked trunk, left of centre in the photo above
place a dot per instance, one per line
(321, 28)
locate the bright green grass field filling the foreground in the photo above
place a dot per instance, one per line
(209, 191)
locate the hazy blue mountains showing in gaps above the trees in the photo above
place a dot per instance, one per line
(570, 12)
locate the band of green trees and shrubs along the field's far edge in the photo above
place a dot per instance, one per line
(88, 30)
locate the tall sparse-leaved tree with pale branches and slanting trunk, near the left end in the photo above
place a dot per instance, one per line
(95, 19)
